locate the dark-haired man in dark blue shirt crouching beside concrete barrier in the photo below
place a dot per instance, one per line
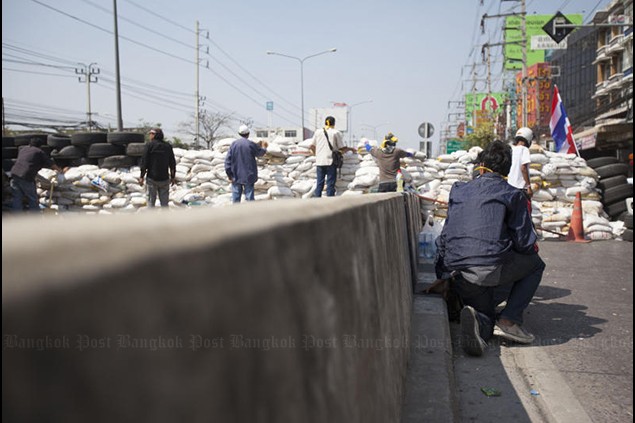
(488, 245)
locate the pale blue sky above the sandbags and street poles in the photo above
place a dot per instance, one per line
(409, 57)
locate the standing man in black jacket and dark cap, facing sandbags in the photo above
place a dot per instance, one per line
(157, 160)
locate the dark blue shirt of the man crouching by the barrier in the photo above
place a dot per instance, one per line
(487, 221)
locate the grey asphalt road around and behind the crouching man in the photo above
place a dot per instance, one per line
(580, 367)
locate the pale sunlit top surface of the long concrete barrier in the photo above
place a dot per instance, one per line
(32, 245)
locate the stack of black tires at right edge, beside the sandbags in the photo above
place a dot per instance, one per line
(615, 188)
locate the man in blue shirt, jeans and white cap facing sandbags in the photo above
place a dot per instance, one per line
(240, 164)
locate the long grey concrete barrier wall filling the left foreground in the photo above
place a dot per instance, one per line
(285, 311)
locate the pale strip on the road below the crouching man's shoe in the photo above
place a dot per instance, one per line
(530, 368)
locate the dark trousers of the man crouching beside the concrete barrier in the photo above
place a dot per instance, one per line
(520, 278)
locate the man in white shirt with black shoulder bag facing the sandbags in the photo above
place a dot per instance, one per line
(324, 143)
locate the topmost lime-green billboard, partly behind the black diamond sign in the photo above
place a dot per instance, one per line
(534, 24)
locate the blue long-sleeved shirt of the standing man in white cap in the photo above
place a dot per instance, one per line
(240, 162)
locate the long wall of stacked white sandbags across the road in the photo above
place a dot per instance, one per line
(288, 171)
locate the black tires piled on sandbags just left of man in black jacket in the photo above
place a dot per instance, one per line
(109, 150)
